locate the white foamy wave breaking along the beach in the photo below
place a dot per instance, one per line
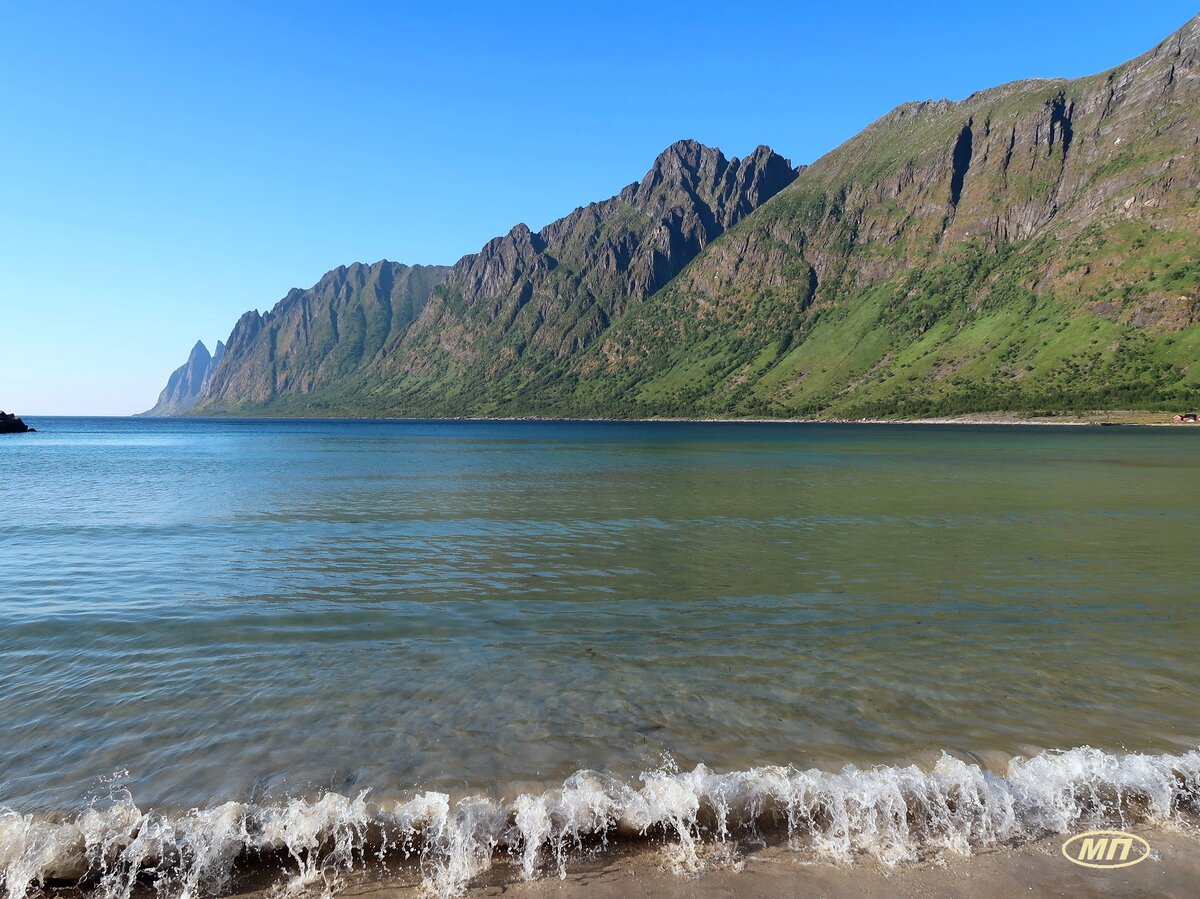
(892, 814)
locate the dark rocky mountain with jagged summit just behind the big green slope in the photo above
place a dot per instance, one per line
(557, 289)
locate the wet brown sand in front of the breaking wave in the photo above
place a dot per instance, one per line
(1036, 870)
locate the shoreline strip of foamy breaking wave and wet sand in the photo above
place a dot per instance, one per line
(761, 832)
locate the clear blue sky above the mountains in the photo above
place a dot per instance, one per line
(170, 166)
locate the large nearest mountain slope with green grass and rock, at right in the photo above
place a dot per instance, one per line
(1036, 247)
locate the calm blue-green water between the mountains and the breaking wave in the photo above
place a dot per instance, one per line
(213, 610)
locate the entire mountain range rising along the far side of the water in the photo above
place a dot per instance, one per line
(1035, 247)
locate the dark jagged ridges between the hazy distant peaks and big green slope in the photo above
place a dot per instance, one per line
(525, 298)
